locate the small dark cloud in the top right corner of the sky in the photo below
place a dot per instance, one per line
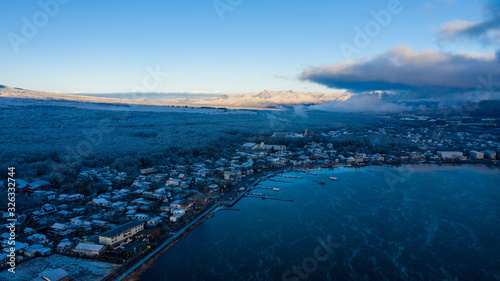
(487, 31)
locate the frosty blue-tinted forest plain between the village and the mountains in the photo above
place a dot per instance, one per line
(55, 143)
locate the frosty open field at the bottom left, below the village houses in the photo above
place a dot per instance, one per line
(79, 269)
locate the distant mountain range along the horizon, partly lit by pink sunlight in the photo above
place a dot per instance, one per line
(263, 100)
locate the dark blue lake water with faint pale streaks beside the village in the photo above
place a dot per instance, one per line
(422, 222)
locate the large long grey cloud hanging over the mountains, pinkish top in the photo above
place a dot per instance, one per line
(425, 73)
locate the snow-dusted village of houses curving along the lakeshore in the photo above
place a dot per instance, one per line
(126, 217)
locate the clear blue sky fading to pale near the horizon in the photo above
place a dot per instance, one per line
(106, 46)
